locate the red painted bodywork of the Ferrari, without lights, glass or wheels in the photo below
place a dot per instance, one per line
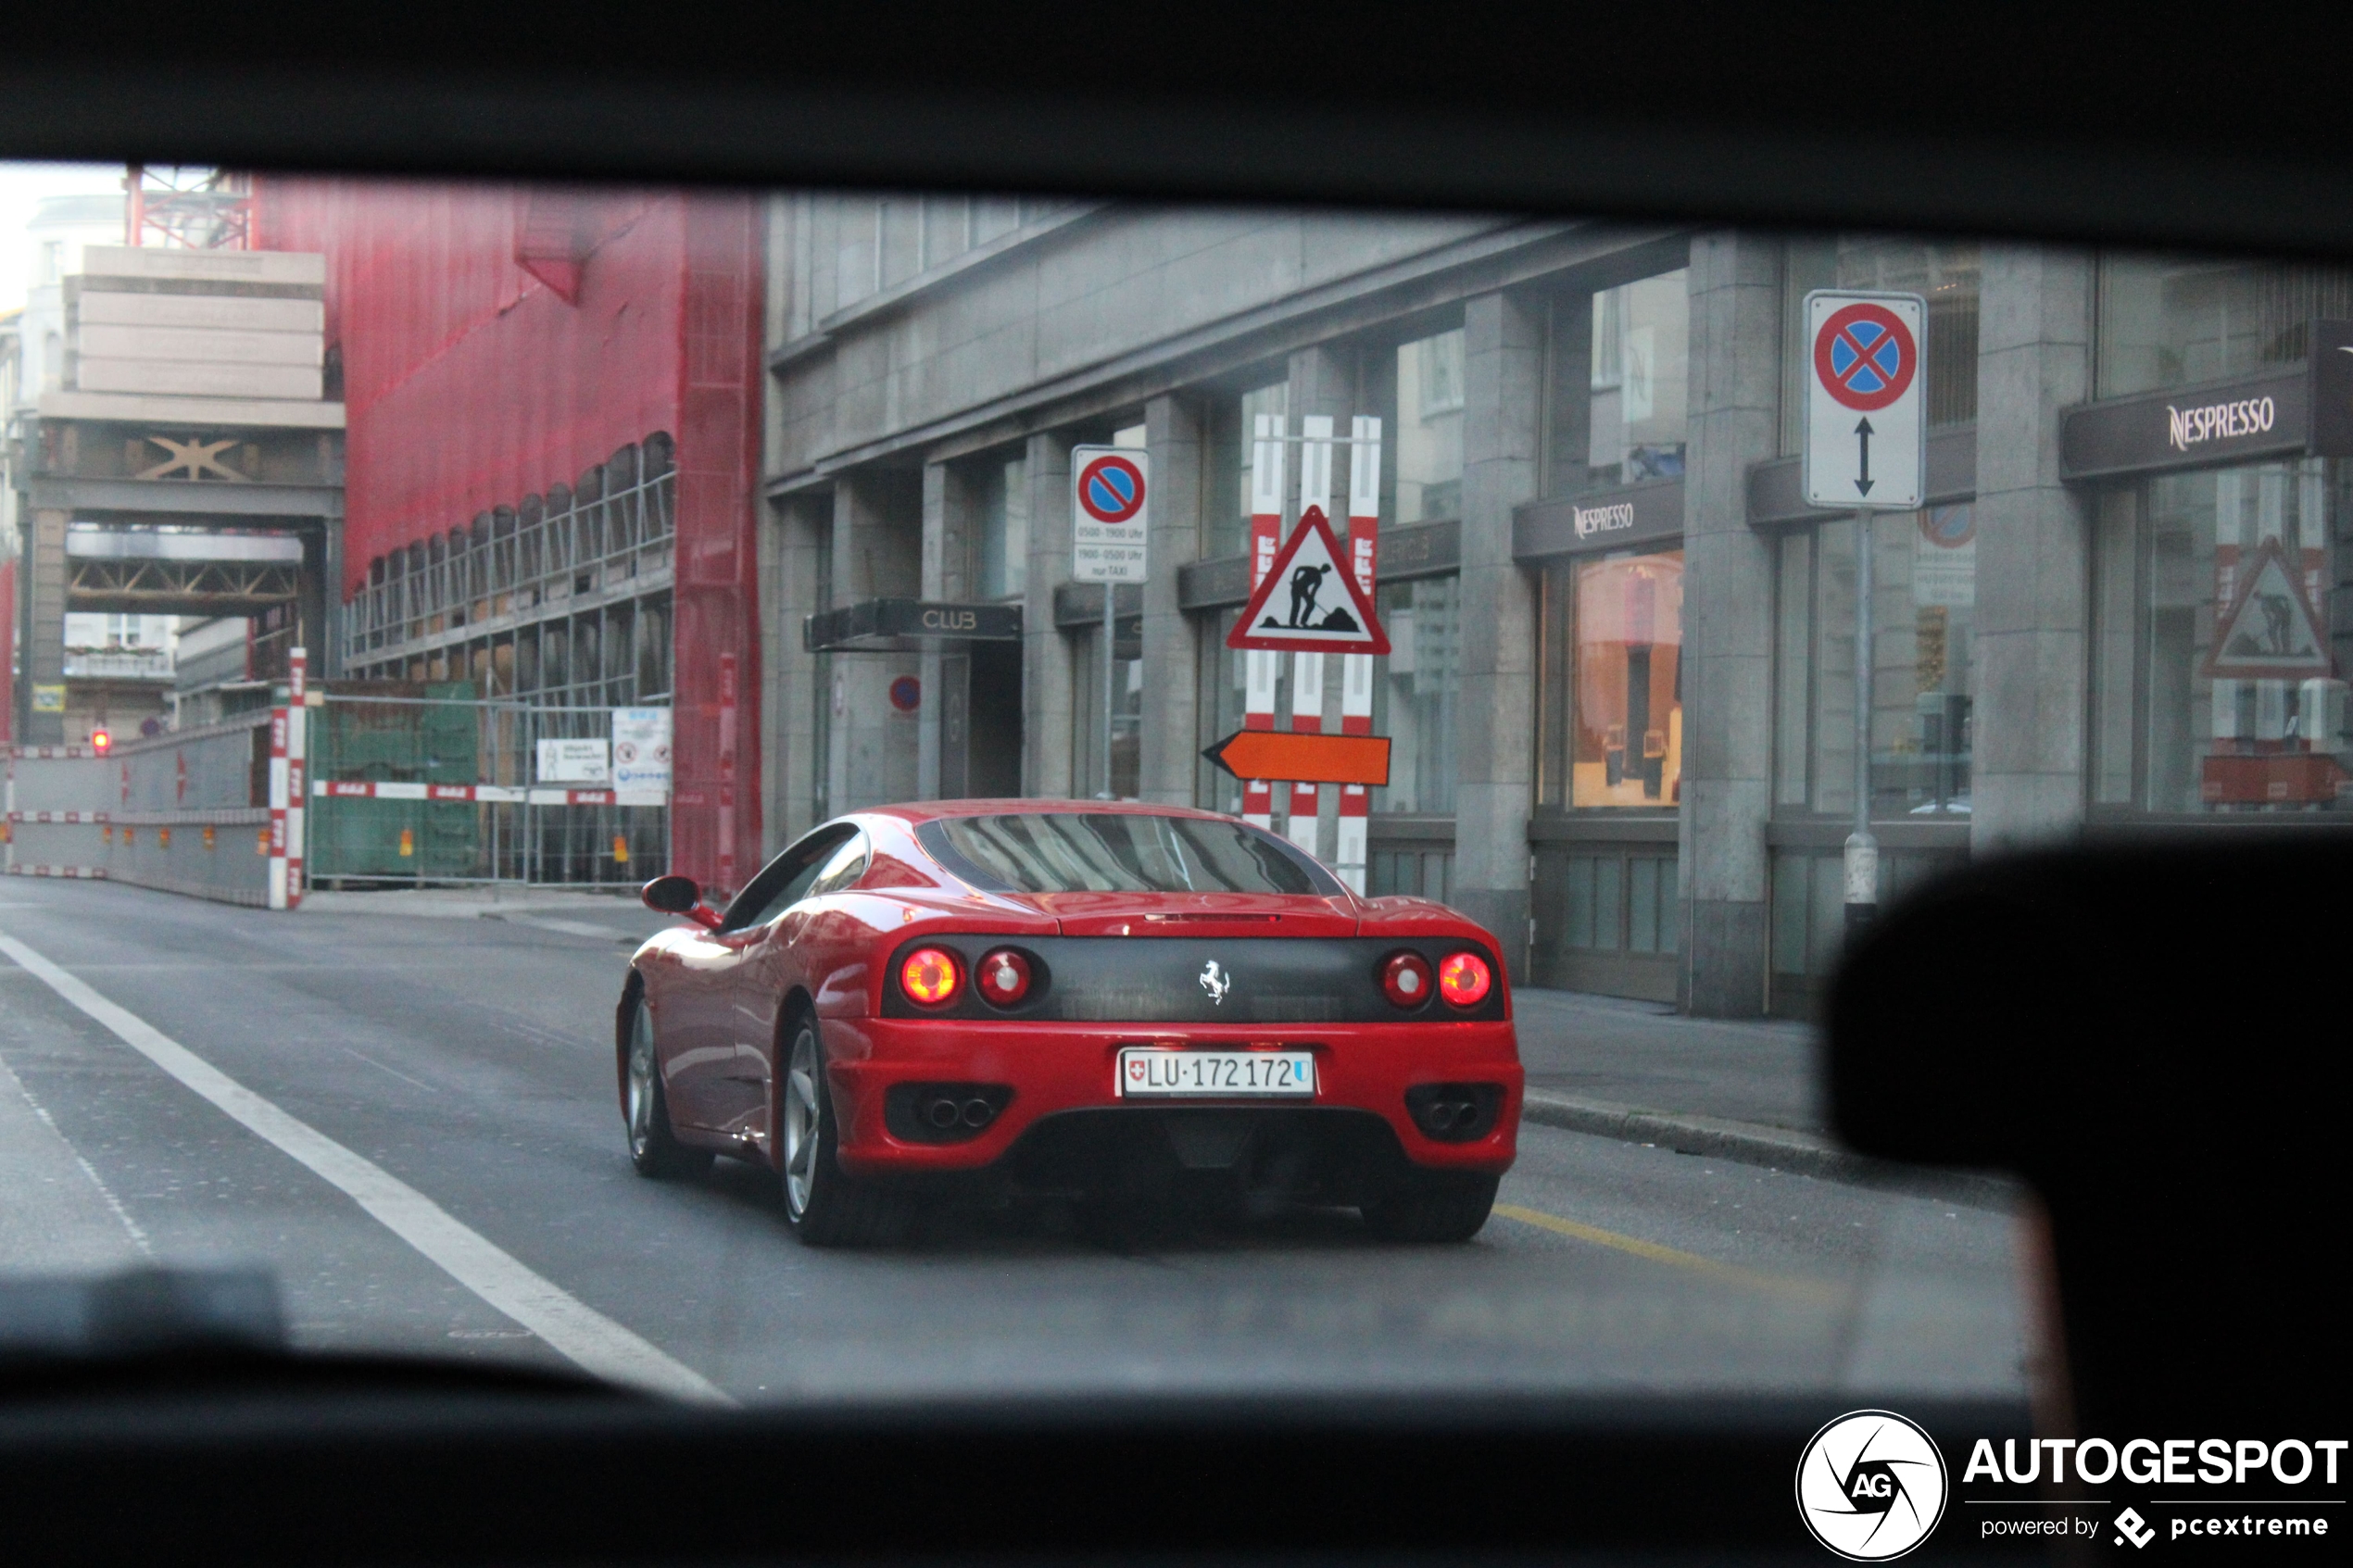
(721, 1003)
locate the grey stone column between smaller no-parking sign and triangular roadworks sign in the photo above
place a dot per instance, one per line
(1173, 441)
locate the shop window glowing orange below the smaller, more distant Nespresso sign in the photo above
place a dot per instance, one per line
(1625, 723)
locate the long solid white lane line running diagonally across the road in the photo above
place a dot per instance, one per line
(580, 1332)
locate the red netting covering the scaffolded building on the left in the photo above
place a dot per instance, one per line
(495, 347)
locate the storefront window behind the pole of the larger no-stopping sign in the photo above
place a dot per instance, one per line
(1924, 645)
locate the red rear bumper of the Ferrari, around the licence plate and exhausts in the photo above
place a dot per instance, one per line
(1053, 1090)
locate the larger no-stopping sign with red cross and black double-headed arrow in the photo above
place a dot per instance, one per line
(1867, 384)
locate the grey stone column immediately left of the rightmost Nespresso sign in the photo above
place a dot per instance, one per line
(2034, 356)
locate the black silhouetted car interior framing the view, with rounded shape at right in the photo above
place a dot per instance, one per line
(2187, 1278)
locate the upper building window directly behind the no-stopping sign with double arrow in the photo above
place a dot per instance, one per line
(1945, 274)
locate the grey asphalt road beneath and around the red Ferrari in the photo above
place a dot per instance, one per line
(472, 1061)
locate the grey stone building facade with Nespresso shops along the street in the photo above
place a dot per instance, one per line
(1622, 674)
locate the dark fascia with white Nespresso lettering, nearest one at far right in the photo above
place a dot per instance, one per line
(2295, 410)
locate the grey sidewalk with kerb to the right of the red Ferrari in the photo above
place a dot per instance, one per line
(1745, 1092)
